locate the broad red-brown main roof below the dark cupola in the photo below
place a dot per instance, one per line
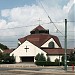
(39, 39)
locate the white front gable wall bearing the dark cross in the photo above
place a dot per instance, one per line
(21, 51)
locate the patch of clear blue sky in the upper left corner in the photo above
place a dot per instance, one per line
(6, 4)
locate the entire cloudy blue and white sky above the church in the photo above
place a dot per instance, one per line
(19, 17)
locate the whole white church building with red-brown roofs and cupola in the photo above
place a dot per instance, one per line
(39, 41)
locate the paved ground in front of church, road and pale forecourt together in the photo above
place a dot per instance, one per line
(32, 69)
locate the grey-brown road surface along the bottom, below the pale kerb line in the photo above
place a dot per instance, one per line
(28, 71)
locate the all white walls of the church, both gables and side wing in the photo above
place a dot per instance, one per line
(32, 51)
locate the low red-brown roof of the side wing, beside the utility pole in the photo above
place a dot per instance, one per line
(57, 51)
